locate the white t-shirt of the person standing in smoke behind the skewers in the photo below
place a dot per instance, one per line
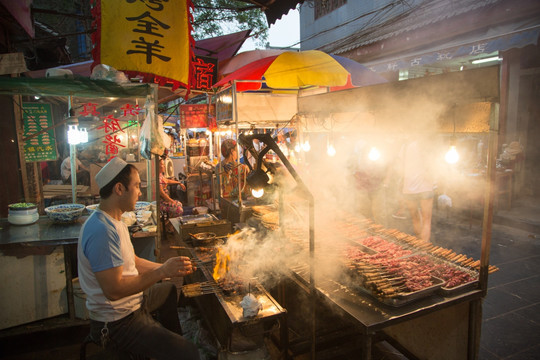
(417, 177)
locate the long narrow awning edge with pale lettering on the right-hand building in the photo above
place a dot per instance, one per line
(490, 41)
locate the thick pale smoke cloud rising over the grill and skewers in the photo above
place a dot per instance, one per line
(355, 185)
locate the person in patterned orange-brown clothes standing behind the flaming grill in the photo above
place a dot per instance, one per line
(229, 171)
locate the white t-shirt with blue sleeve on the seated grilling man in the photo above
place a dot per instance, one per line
(105, 243)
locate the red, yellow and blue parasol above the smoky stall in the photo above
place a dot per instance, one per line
(295, 70)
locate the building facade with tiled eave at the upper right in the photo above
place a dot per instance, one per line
(408, 39)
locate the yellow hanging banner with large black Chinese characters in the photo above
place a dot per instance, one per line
(145, 37)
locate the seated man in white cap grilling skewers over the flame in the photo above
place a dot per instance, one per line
(123, 290)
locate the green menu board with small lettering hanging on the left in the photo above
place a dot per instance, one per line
(41, 147)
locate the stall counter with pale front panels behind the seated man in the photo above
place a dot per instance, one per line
(37, 265)
